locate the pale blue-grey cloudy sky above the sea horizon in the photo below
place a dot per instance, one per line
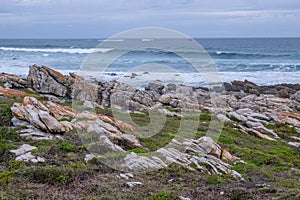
(104, 18)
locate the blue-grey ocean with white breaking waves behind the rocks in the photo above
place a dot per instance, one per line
(265, 61)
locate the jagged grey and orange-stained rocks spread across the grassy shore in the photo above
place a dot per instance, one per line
(49, 108)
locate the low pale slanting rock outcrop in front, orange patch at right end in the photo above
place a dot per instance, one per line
(203, 155)
